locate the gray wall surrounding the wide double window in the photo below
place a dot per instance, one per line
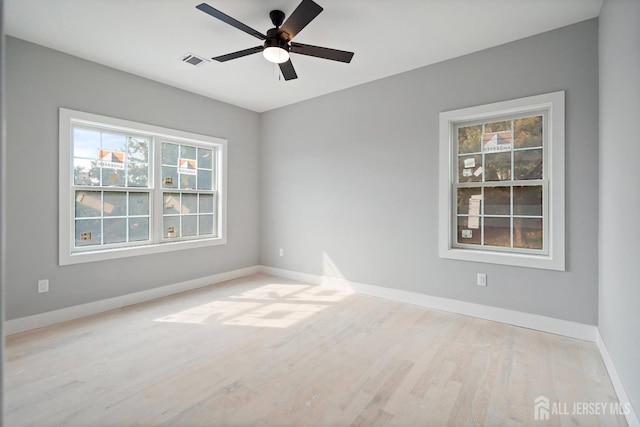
(39, 81)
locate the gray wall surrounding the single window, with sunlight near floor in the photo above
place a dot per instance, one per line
(350, 180)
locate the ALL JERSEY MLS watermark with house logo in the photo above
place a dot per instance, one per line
(543, 408)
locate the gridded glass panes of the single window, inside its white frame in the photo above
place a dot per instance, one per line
(500, 181)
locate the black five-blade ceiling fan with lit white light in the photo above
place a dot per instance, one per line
(277, 43)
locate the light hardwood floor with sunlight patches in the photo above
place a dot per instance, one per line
(267, 351)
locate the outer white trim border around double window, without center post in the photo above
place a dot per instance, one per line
(67, 118)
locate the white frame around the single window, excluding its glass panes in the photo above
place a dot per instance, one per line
(553, 257)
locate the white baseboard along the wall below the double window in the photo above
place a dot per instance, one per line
(49, 318)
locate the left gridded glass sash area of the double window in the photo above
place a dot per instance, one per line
(106, 163)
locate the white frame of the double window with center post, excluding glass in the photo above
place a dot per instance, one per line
(69, 118)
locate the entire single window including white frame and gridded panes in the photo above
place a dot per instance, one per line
(501, 191)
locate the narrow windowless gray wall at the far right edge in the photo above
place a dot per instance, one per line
(619, 189)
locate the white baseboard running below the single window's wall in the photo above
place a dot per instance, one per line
(511, 317)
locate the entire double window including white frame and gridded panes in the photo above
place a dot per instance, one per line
(131, 188)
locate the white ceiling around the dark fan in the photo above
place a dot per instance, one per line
(147, 38)
